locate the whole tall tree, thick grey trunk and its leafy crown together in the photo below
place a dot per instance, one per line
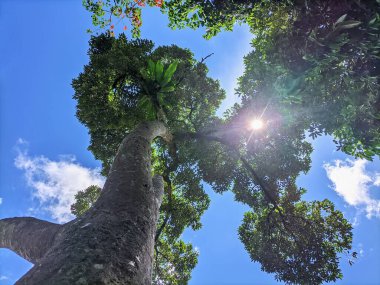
(128, 95)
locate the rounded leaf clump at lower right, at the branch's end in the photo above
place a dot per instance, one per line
(317, 233)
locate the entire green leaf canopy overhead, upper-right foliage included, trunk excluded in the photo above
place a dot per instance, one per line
(313, 70)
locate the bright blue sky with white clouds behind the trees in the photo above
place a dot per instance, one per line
(44, 159)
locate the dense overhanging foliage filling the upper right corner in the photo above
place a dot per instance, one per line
(321, 56)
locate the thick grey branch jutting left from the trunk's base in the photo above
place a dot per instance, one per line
(28, 237)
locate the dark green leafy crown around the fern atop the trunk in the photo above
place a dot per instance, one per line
(112, 85)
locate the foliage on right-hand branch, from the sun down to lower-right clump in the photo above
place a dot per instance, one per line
(298, 241)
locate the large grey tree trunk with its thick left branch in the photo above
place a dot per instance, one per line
(113, 242)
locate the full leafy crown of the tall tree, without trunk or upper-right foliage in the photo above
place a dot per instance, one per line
(260, 169)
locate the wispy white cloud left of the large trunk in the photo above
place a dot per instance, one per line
(55, 183)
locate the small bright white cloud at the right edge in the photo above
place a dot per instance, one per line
(352, 182)
